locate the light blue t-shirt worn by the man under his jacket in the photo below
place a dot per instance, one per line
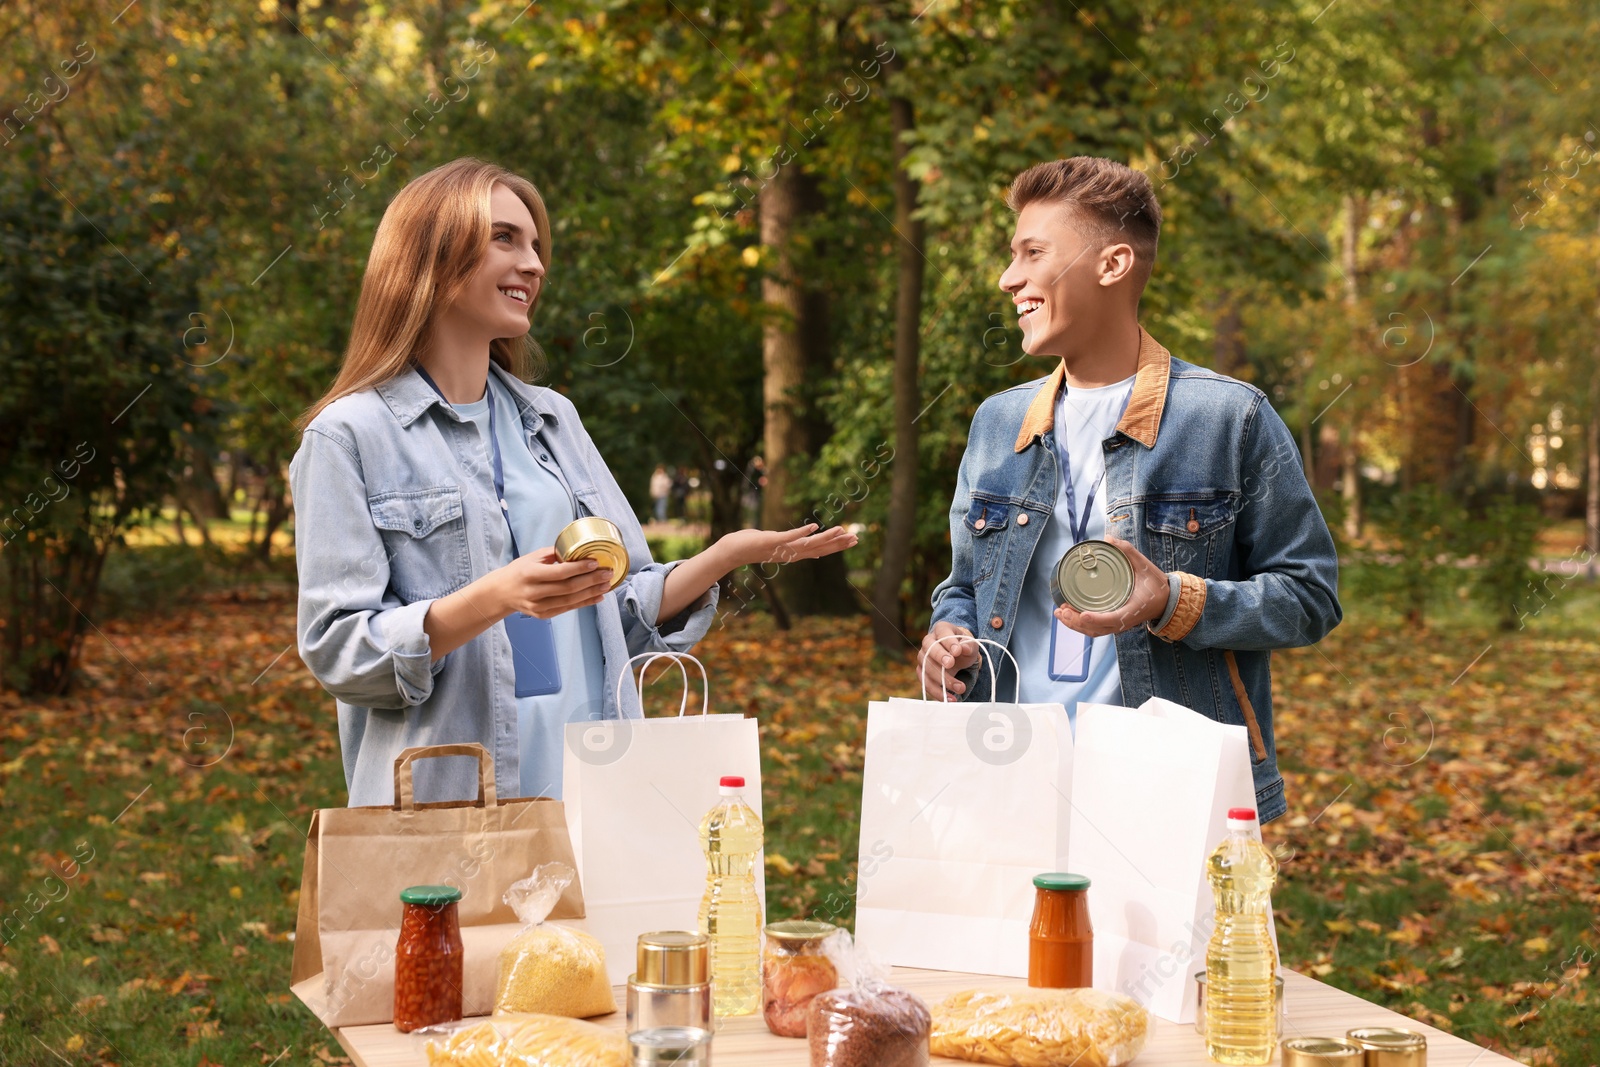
(1084, 420)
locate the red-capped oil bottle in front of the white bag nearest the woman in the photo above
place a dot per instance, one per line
(730, 911)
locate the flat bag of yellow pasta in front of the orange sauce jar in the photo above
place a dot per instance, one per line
(1041, 1028)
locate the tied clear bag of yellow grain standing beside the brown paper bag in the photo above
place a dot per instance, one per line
(551, 970)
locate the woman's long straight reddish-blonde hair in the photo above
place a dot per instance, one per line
(430, 244)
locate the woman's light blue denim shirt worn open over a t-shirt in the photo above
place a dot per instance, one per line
(394, 510)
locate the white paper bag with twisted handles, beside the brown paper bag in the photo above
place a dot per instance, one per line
(636, 793)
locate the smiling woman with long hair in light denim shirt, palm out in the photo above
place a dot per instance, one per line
(430, 487)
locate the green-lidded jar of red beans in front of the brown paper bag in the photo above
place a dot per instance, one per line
(428, 959)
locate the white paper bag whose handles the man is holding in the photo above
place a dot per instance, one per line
(962, 805)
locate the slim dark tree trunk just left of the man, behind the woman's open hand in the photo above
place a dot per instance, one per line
(900, 529)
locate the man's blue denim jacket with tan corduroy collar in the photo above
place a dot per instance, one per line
(1206, 481)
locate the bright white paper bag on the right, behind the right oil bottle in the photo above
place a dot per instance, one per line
(1150, 804)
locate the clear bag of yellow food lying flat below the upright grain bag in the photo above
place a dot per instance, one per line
(530, 1042)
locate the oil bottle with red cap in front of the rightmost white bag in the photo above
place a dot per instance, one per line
(1241, 962)
